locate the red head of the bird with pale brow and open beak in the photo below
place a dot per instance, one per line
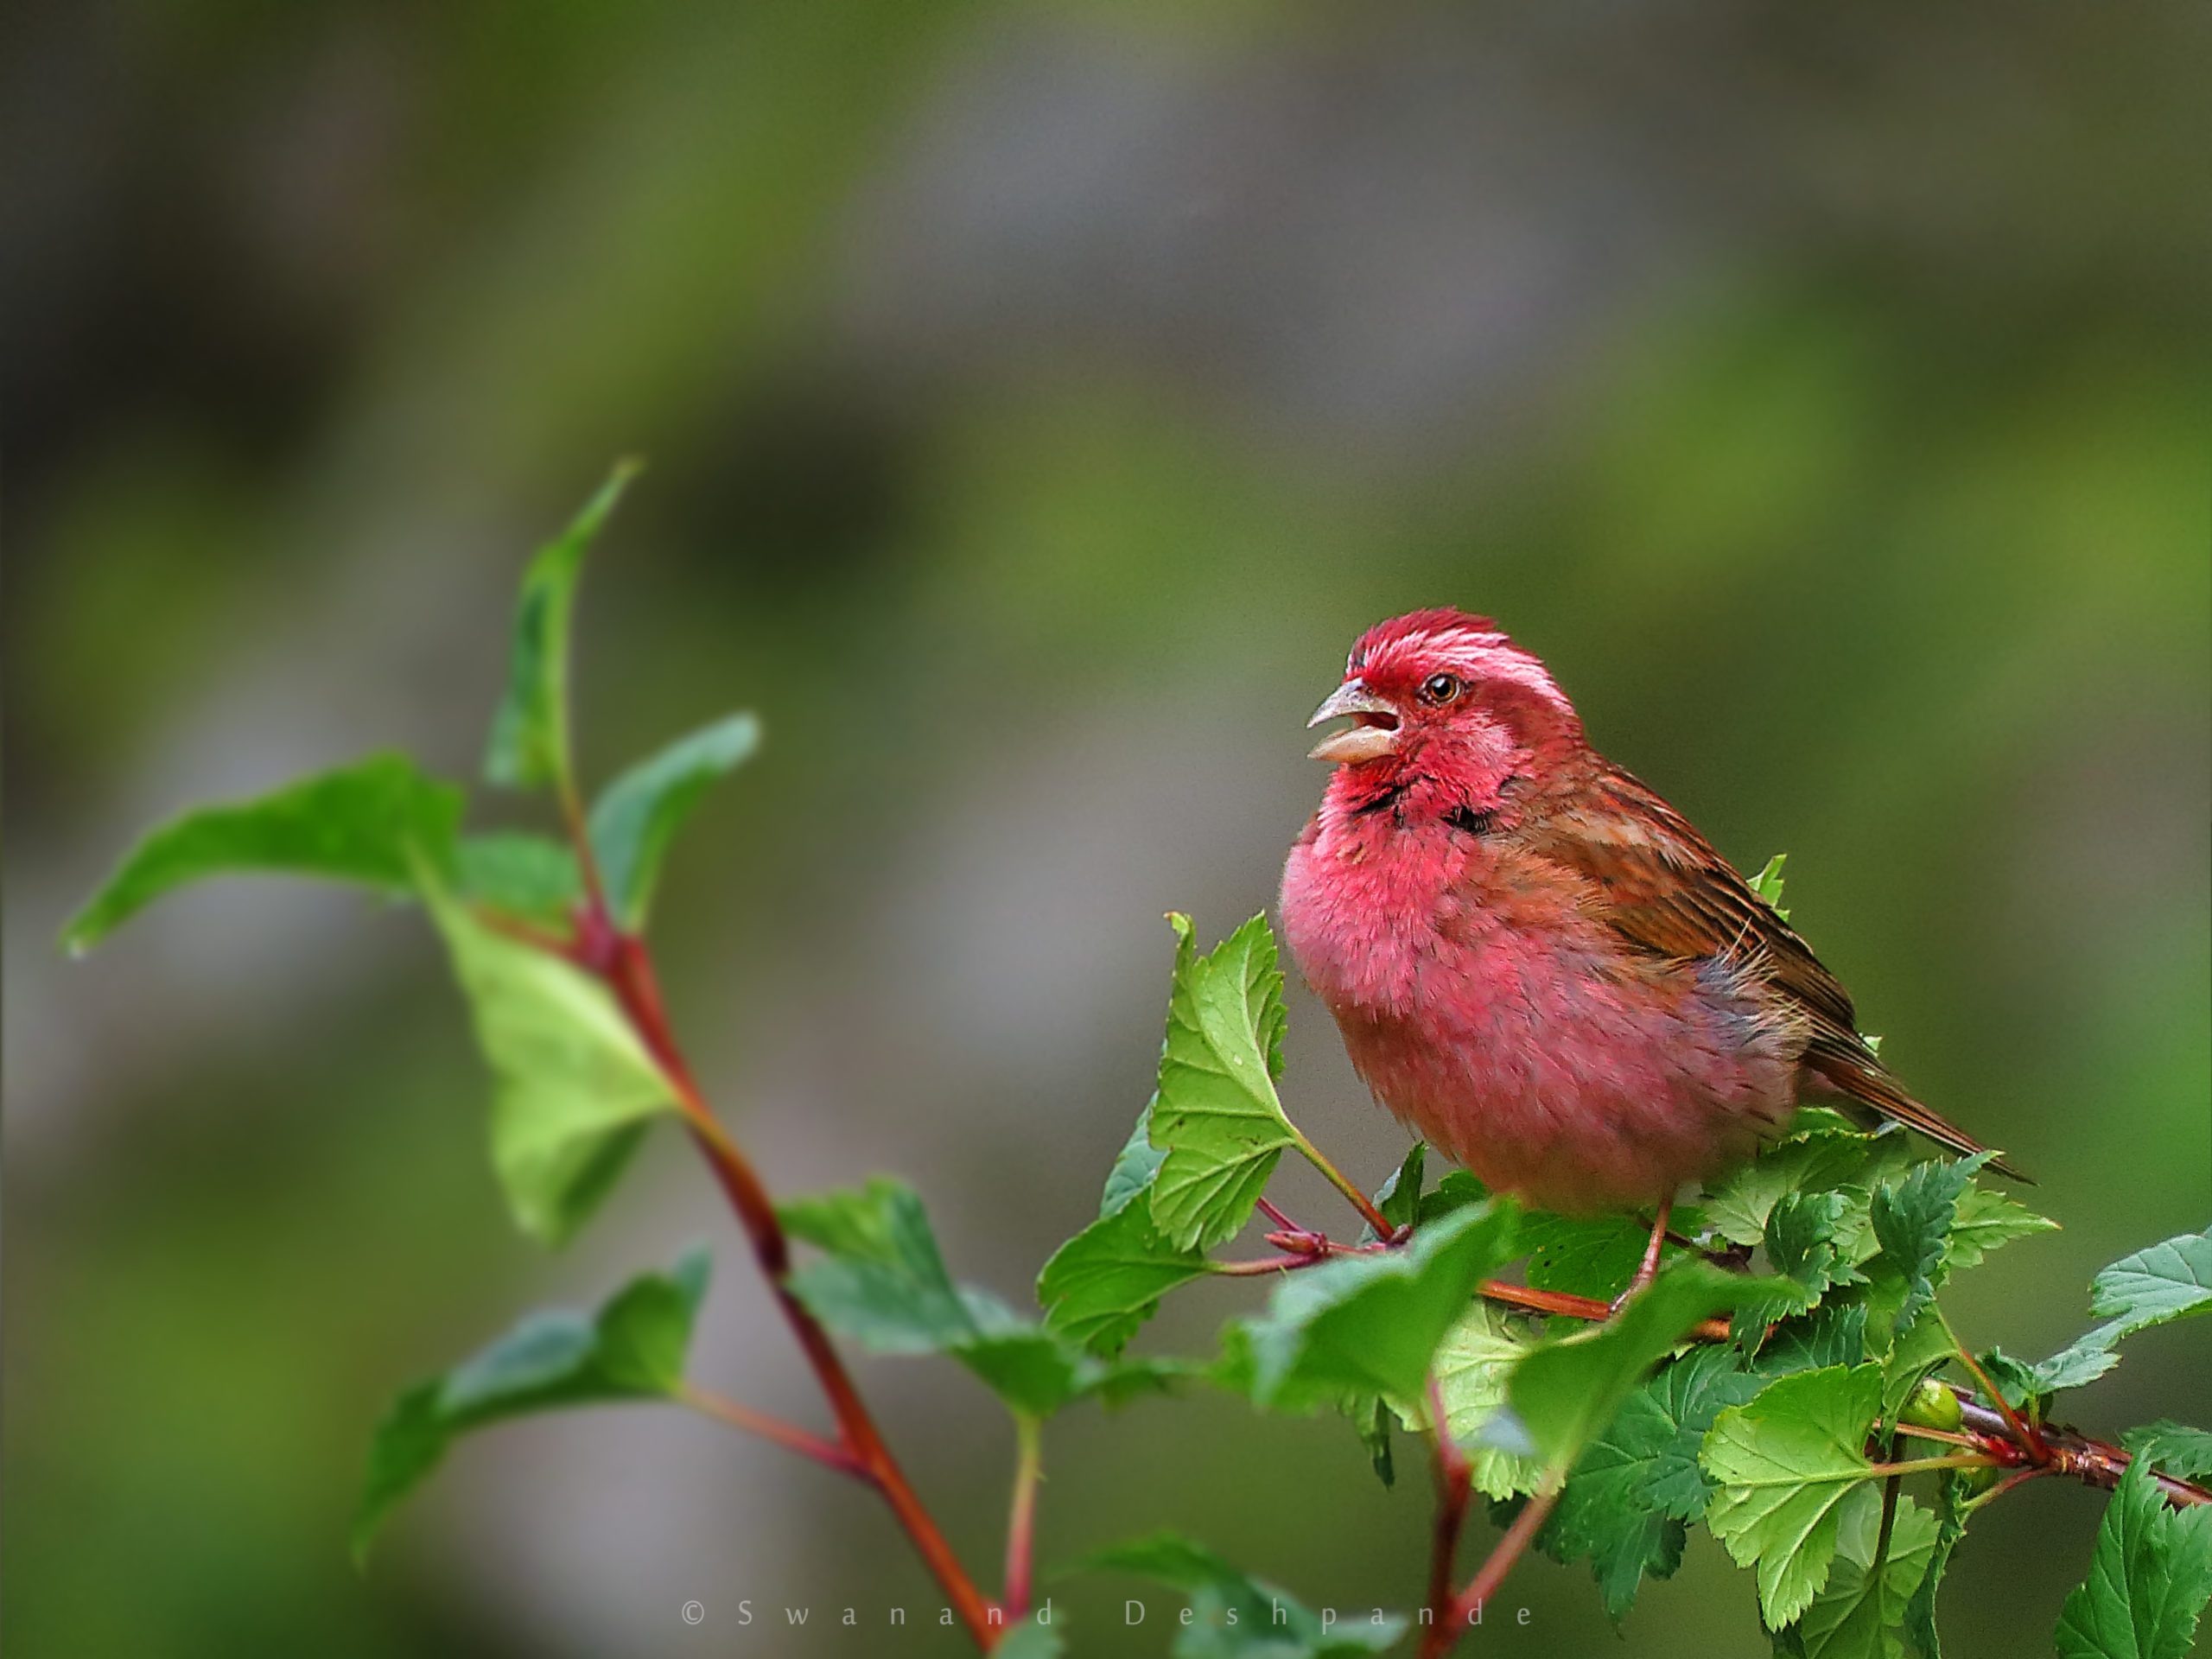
(1443, 711)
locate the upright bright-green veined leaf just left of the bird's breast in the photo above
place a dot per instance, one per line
(1218, 1116)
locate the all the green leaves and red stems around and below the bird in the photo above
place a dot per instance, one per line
(1830, 1368)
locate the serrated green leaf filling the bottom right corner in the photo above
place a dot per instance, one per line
(2149, 1578)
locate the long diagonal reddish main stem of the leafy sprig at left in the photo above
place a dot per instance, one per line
(627, 968)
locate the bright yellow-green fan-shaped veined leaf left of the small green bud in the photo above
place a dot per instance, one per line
(1784, 1465)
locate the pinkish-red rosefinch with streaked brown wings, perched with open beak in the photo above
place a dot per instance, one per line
(1536, 963)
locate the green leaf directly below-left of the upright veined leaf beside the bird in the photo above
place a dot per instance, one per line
(1105, 1282)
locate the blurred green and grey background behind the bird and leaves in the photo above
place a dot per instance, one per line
(1039, 404)
